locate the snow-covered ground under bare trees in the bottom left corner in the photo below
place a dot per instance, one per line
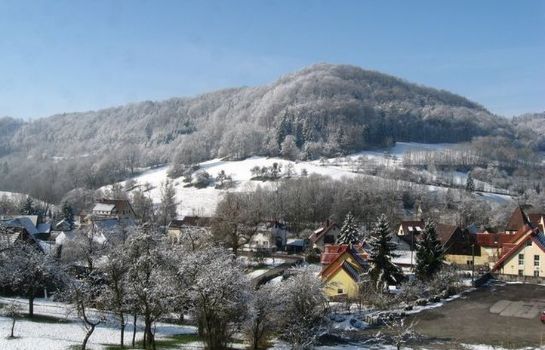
(55, 336)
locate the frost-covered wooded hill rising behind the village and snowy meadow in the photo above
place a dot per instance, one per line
(323, 110)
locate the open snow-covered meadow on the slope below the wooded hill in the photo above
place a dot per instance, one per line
(194, 201)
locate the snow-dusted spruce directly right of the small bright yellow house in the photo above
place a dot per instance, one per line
(383, 271)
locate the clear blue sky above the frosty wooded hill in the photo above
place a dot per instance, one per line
(73, 55)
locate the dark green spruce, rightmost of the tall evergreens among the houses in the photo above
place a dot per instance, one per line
(429, 253)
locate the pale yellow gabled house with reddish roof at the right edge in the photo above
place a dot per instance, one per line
(524, 257)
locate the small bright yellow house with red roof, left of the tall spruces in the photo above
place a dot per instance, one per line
(342, 268)
